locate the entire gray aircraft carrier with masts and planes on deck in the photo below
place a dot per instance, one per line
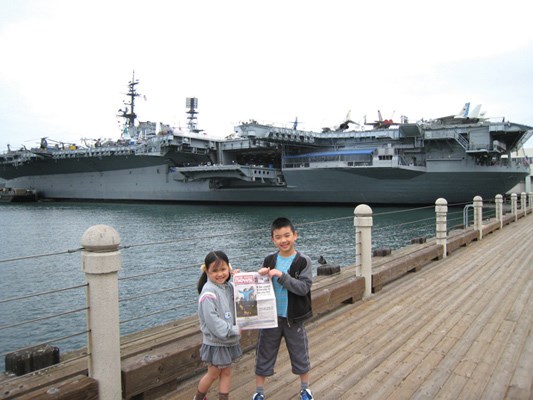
(455, 157)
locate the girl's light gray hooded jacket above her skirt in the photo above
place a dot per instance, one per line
(217, 315)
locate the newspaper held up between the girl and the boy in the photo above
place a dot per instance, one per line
(255, 301)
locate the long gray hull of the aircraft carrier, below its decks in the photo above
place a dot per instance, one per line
(311, 186)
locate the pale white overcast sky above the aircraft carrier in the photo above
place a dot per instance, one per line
(65, 65)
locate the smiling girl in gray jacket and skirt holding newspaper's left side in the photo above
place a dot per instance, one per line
(220, 344)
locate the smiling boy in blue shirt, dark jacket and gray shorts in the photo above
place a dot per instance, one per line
(292, 277)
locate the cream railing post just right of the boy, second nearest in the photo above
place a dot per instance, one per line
(363, 244)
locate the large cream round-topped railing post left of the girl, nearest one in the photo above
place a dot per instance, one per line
(100, 260)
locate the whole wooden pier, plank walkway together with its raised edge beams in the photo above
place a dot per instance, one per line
(458, 327)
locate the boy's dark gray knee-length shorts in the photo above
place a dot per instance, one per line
(268, 344)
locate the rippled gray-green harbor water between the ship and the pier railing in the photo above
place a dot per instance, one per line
(163, 246)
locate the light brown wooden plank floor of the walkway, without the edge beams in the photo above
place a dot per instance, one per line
(461, 328)
